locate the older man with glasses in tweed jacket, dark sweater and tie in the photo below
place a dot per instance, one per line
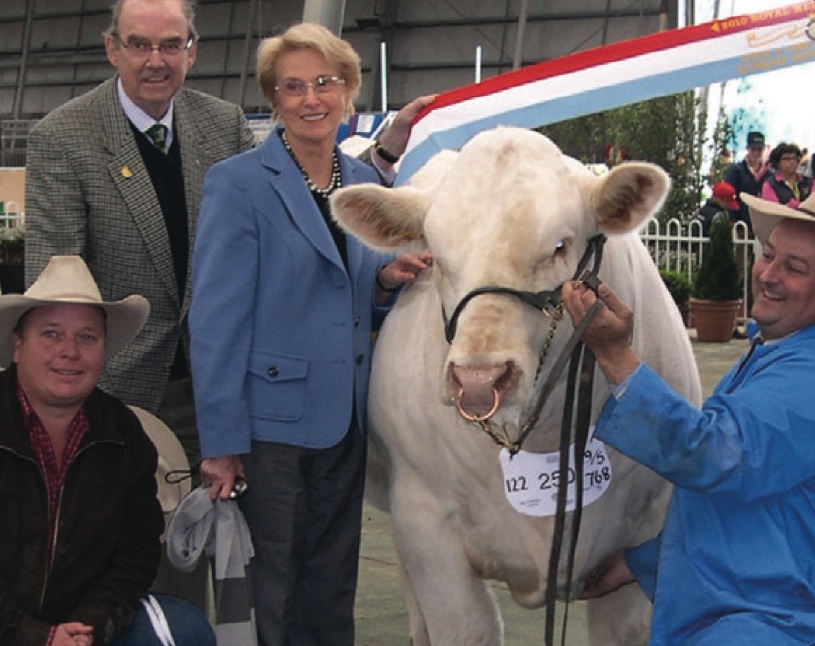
(100, 186)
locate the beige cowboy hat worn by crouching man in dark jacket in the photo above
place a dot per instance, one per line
(67, 279)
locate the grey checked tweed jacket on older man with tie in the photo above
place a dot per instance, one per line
(88, 193)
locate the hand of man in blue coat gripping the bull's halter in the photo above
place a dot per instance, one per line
(609, 334)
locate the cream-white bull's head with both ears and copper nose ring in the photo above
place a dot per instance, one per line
(509, 210)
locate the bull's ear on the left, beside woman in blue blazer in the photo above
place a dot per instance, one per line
(385, 219)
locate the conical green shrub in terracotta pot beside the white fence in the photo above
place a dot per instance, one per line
(716, 294)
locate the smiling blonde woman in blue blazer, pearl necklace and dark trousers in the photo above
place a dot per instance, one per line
(283, 305)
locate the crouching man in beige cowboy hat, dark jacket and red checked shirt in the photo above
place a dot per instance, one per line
(81, 520)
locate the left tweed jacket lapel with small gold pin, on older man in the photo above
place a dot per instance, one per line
(130, 176)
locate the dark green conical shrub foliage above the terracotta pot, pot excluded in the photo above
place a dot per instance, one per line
(718, 276)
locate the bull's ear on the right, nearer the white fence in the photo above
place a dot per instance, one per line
(630, 194)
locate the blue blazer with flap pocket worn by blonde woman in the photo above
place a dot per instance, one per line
(280, 332)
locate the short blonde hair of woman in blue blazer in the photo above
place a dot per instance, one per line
(308, 36)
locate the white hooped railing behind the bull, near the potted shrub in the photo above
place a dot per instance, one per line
(680, 247)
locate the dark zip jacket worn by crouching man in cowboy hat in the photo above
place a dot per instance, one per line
(107, 545)
